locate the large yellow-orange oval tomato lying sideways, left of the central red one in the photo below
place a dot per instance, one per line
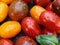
(9, 29)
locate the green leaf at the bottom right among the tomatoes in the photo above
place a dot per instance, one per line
(47, 40)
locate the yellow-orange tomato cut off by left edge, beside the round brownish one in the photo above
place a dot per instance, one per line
(3, 11)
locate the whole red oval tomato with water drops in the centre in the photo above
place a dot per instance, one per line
(30, 27)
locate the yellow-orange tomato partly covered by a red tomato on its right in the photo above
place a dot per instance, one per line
(36, 11)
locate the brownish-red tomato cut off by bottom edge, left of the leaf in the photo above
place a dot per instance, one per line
(25, 40)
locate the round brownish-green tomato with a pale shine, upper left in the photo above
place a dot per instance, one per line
(18, 10)
